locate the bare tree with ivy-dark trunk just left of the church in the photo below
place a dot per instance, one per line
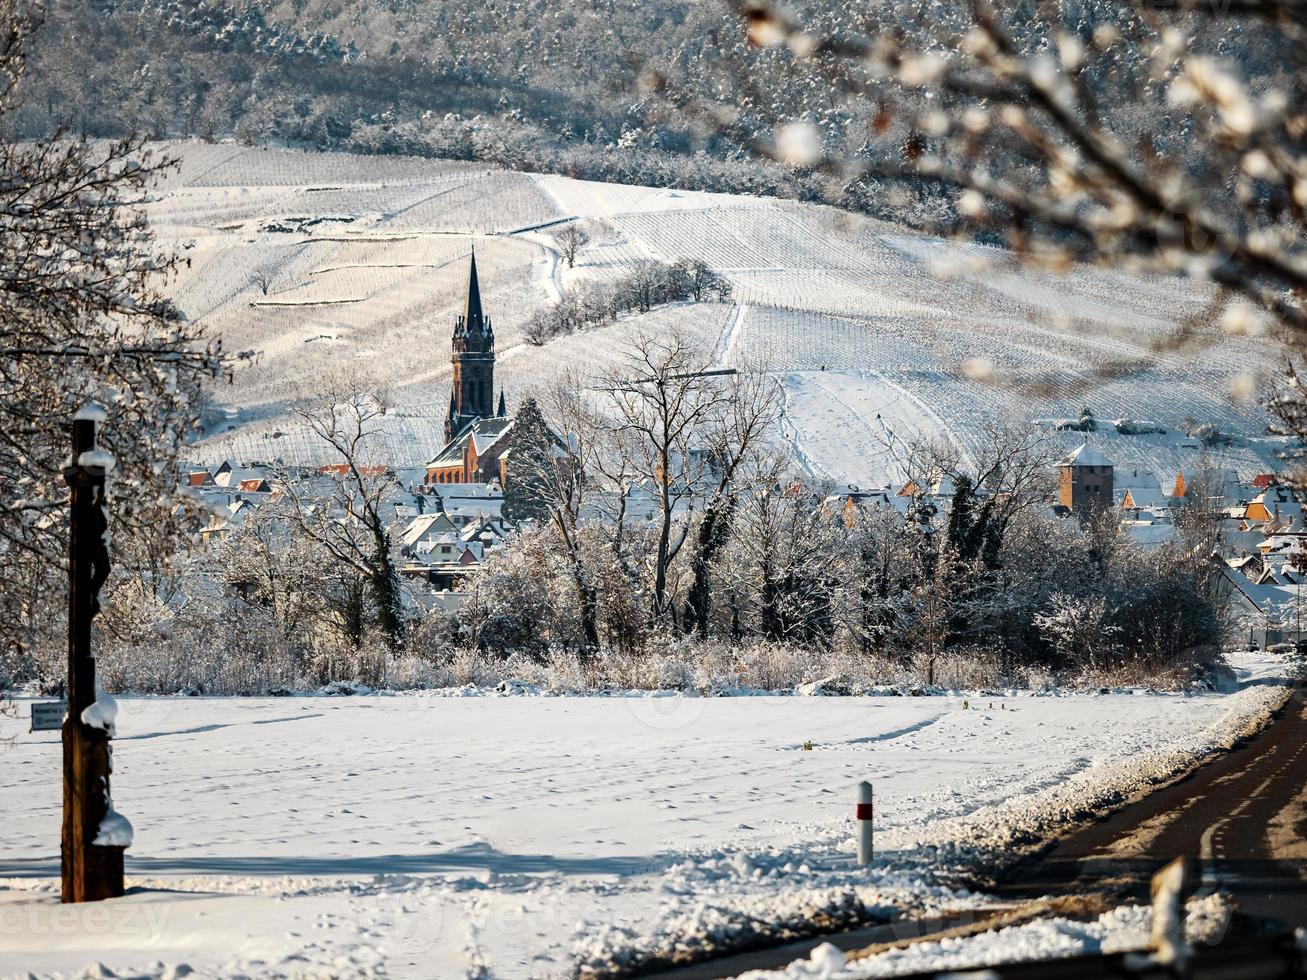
(344, 505)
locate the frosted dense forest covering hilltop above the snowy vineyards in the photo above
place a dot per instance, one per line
(665, 93)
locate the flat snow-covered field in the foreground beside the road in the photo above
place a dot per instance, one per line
(441, 836)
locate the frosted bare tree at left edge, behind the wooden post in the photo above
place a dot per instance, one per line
(83, 318)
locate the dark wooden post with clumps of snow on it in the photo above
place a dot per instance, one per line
(93, 836)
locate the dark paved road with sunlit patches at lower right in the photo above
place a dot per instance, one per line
(1244, 815)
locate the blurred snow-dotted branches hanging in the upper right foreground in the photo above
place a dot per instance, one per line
(1121, 137)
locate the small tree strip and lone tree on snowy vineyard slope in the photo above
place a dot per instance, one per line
(650, 284)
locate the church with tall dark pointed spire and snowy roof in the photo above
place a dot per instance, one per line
(476, 432)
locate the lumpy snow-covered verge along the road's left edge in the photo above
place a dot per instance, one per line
(926, 875)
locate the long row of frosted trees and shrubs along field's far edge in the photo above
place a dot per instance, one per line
(654, 504)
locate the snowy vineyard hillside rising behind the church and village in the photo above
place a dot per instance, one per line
(316, 263)
